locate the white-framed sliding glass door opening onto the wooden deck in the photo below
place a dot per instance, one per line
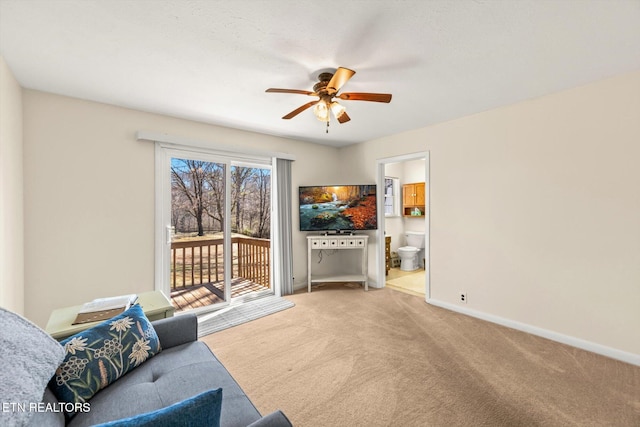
(214, 225)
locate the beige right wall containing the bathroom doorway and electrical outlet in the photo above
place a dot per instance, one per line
(535, 210)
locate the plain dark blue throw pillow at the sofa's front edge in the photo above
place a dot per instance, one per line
(202, 410)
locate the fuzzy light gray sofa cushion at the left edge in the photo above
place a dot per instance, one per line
(29, 357)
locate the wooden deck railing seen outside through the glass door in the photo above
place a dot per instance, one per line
(195, 262)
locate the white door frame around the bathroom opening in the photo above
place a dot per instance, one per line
(381, 164)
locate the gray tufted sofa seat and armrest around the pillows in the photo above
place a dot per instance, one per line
(185, 367)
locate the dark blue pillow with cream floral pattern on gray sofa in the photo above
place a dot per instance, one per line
(100, 355)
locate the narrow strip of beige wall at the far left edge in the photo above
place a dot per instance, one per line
(11, 193)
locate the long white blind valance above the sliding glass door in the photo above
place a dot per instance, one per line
(183, 143)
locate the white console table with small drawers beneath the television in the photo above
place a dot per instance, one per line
(337, 242)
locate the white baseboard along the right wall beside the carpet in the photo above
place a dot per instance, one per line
(613, 353)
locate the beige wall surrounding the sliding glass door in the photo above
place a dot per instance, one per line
(89, 196)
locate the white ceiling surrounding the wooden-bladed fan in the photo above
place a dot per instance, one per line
(211, 61)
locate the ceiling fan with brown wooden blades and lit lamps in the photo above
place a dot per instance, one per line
(327, 90)
